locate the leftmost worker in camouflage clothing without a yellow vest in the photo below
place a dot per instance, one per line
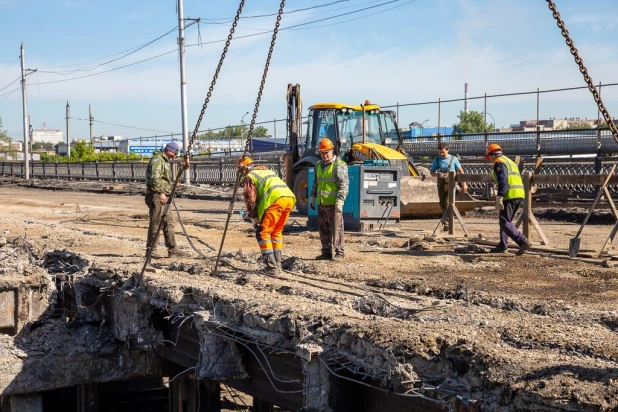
(158, 187)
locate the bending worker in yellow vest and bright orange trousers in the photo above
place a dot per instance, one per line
(269, 204)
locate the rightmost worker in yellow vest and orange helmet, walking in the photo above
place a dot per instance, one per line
(509, 198)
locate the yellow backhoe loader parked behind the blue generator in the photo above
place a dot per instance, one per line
(359, 133)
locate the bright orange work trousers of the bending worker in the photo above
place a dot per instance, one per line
(270, 231)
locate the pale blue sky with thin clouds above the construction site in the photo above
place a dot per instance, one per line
(401, 51)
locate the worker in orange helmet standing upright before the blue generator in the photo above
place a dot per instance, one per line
(330, 188)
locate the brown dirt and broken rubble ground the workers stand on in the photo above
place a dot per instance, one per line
(519, 333)
